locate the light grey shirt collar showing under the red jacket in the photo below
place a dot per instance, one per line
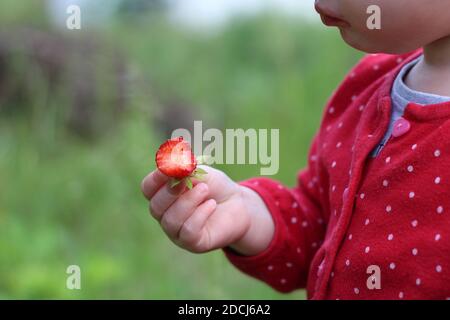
(401, 96)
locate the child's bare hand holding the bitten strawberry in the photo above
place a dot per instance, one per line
(216, 213)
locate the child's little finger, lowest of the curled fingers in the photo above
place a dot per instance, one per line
(190, 234)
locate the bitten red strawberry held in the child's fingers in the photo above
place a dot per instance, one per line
(175, 159)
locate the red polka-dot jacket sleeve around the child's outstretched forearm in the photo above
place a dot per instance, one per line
(299, 229)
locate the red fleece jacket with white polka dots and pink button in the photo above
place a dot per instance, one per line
(350, 211)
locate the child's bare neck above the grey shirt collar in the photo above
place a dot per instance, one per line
(432, 73)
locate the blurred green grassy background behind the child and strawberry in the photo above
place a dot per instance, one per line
(82, 113)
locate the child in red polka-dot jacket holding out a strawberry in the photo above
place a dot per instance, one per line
(369, 218)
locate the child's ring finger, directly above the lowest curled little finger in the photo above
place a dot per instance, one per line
(173, 219)
